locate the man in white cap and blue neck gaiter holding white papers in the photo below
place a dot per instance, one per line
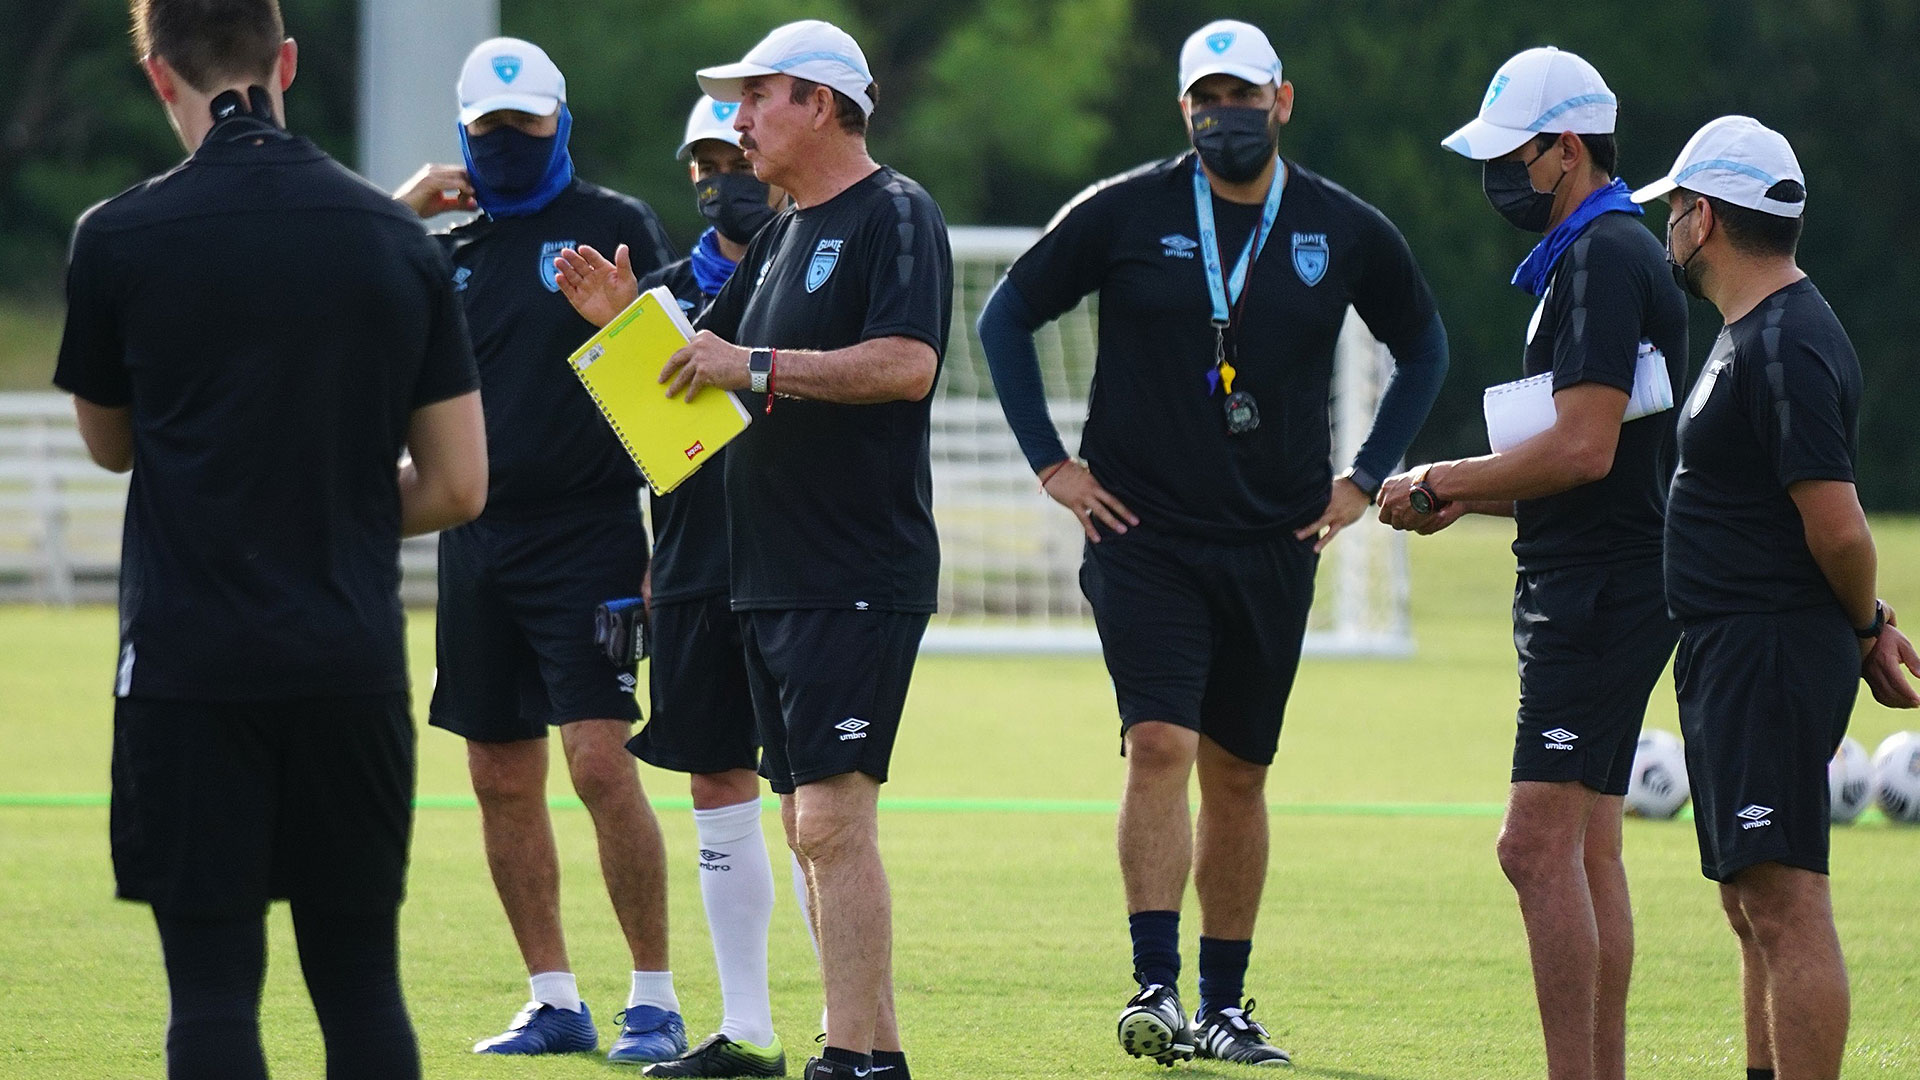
(1589, 497)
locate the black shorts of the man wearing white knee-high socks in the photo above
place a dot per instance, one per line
(702, 708)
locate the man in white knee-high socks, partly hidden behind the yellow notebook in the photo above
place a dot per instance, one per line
(702, 706)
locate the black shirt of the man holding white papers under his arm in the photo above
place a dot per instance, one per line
(1610, 291)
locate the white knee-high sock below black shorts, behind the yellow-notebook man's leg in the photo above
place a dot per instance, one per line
(738, 891)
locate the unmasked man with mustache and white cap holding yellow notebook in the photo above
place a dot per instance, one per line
(842, 305)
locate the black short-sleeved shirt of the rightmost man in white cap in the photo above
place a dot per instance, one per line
(1779, 403)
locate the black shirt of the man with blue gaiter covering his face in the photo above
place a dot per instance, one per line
(548, 447)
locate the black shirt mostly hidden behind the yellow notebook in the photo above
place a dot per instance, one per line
(690, 522)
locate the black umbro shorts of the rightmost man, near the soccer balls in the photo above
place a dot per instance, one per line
(1764, 706)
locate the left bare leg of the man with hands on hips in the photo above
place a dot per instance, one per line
(1155, 823)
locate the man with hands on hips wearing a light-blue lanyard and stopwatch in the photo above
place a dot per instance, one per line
(1218, 303)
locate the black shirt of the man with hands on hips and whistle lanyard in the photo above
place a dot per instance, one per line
(1155, 433)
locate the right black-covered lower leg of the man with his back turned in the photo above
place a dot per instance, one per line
(352, 970)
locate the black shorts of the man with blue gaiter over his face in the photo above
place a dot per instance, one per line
(516, 631)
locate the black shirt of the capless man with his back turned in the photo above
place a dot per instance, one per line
(272, 322)
